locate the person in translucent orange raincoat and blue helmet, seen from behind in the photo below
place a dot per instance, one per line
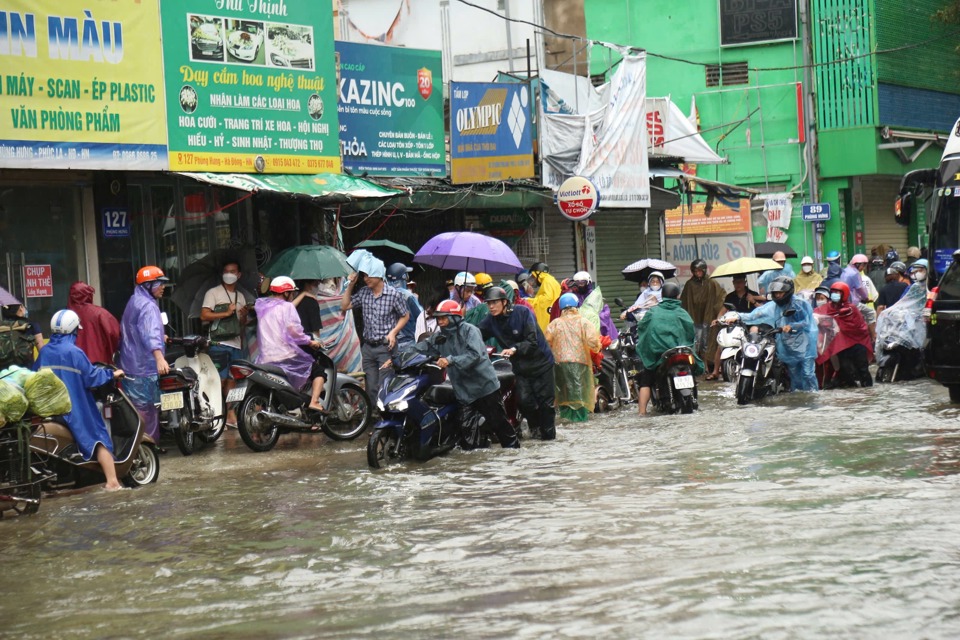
(572, 338)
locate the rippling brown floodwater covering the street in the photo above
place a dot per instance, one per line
(804, 516)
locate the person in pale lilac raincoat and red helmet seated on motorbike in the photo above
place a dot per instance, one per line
(281, 338)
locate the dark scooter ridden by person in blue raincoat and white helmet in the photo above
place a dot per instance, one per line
(60, 465)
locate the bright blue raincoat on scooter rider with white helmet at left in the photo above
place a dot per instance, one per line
(62, 356)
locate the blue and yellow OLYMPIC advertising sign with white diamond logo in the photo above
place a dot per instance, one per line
(490, 132)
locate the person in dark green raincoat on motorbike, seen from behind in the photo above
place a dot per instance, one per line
(663, 327)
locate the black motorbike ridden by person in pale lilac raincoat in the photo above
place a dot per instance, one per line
(270, 406)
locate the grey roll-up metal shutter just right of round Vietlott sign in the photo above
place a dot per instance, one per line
(621, 241)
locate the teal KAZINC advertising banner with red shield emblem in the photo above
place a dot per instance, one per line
(391, 110)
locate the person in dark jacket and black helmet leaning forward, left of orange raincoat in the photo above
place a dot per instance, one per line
(520, 339)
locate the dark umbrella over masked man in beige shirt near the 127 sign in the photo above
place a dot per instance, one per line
(200, 276)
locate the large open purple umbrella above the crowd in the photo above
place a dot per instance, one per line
(468, 251)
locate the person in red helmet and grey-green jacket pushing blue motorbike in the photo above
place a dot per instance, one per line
(460, 350)
